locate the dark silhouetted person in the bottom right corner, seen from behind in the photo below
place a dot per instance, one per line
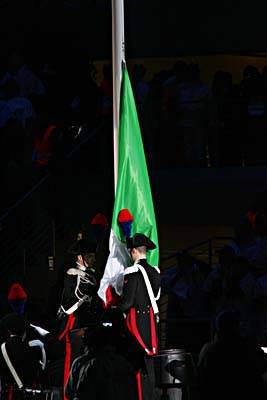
(229, 367)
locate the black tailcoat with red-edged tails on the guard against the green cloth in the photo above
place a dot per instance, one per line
(135, 303)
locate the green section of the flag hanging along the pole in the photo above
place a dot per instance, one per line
(133, 187)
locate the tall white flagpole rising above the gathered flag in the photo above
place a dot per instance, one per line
(118, 56)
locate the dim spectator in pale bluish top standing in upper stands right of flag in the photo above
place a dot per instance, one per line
(185, 107)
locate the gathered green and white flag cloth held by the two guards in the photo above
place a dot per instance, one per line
(133, 193)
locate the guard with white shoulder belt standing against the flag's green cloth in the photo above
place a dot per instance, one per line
(139, 304)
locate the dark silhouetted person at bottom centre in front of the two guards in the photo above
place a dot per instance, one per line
(105, 373)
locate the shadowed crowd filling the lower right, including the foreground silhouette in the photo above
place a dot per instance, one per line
(224, 305)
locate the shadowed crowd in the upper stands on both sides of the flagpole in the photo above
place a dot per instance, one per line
(184, 121)
